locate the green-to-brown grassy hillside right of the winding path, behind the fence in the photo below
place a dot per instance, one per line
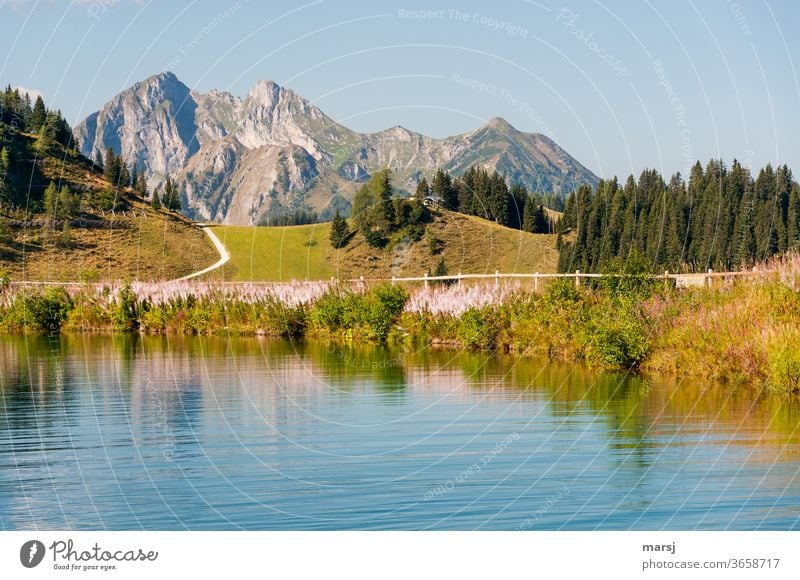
(467, 244)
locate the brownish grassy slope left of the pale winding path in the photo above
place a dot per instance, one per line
(133, 242)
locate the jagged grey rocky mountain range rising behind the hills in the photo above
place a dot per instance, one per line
(239, 157)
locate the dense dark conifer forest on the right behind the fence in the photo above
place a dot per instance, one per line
(721, 218)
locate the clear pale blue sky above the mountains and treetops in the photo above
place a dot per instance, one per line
(621, 85)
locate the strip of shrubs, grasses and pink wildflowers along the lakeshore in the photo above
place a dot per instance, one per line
(744, 332)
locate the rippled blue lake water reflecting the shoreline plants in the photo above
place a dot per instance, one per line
(100, 432)
